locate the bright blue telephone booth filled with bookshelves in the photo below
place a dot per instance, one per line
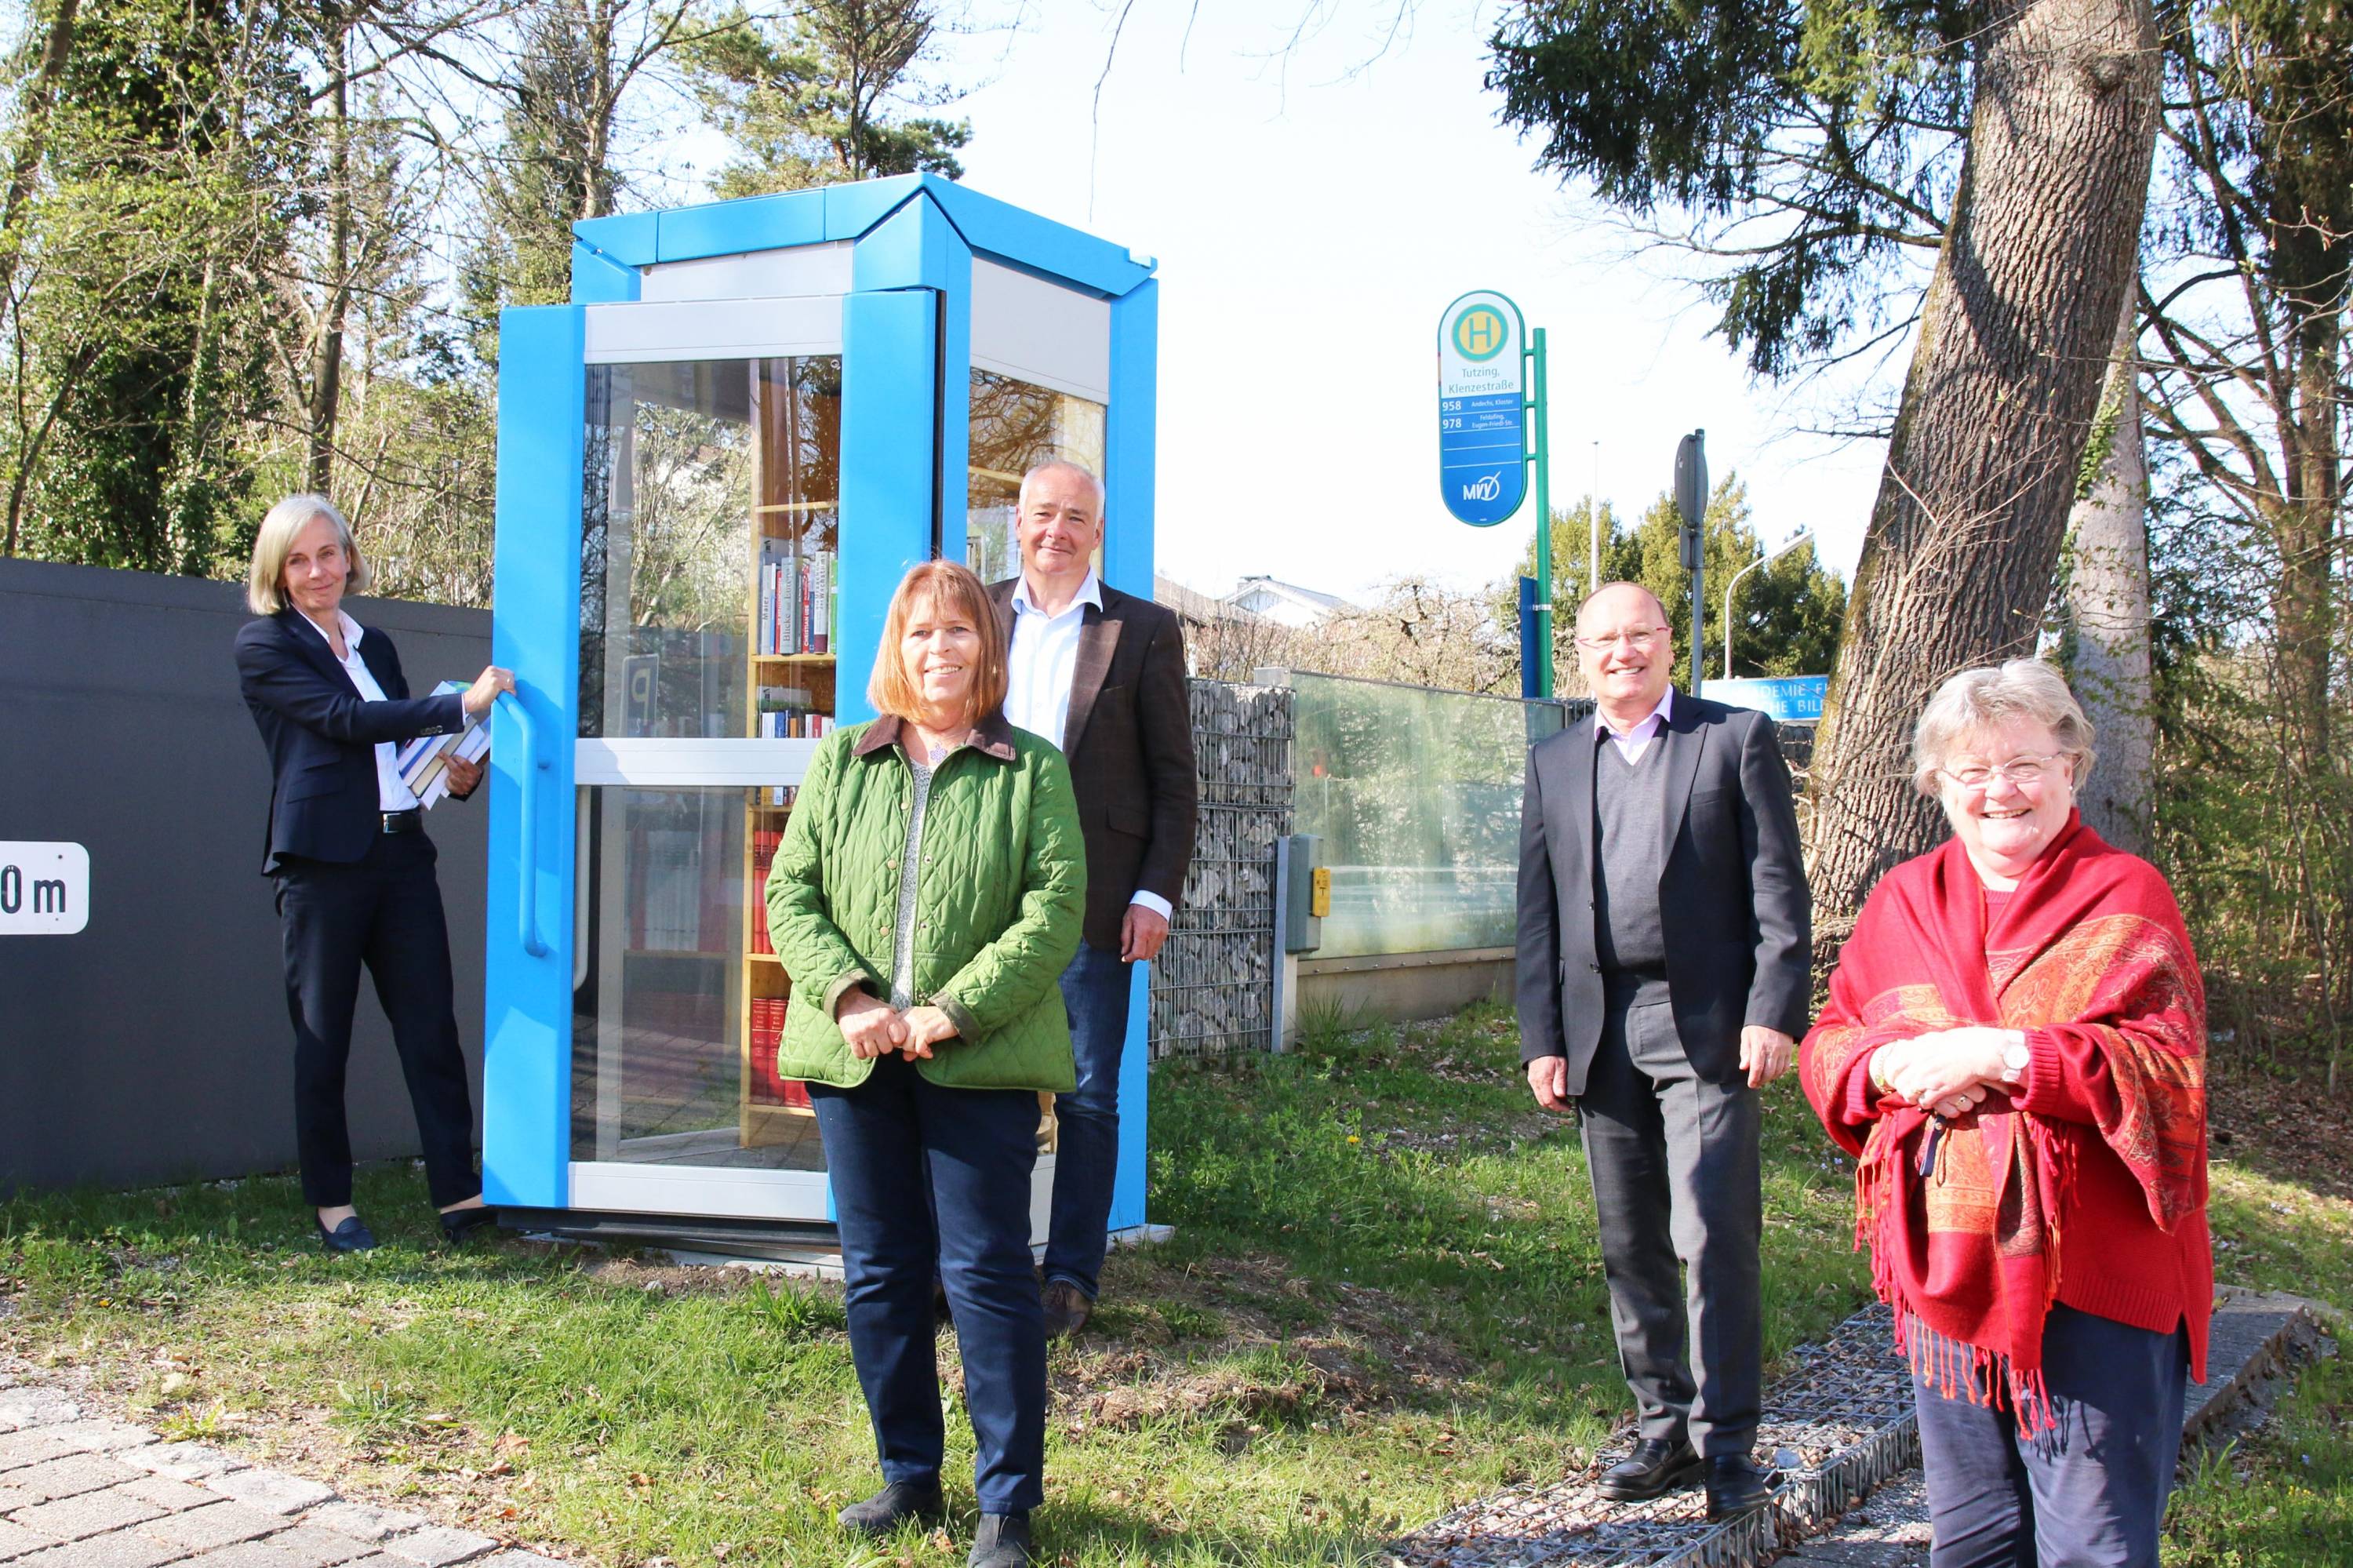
(714, 467)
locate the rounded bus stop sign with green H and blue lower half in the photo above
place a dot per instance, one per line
(1481, 408)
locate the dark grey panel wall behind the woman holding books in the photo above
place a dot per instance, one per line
(154, 1044)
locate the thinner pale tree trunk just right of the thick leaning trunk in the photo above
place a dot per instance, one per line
(2107, 604)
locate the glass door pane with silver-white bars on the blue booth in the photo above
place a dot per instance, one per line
(707, 675)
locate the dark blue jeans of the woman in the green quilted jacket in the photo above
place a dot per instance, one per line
(900, 1150)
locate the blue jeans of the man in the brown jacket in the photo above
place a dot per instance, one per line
(1088, 1119)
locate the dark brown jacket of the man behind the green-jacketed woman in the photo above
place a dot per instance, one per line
(1131, 745)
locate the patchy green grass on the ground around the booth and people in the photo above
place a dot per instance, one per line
(1382, 1298)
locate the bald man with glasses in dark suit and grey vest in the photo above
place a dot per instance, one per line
(1662, 981)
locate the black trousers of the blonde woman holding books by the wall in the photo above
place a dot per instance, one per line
(382, 912)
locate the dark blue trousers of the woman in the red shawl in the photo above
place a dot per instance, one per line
(2086, 1494)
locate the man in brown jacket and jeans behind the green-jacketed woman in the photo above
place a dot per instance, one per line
(1102, 677)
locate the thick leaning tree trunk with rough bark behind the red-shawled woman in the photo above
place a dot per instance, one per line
(2004, 387)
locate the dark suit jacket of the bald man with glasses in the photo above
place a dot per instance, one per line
(1740, 922)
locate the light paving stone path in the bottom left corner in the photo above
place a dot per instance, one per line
(81, 1491)
